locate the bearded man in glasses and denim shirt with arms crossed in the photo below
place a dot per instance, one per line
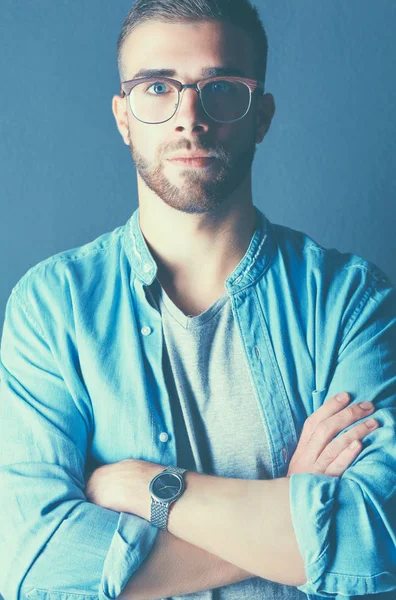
(199, 336)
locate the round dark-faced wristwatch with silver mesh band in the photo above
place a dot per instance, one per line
(165, 488)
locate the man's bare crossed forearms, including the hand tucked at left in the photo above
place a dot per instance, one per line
(212, 530)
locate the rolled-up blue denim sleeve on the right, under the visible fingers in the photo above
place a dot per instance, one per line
(346, 527)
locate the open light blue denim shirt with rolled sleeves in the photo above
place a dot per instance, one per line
(82, 385)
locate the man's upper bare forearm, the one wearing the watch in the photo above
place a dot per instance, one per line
(245, 522)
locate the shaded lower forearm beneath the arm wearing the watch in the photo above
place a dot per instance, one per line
(175, 567)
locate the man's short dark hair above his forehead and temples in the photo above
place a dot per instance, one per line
(240, 13)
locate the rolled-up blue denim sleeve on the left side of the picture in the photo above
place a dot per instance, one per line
(55, 544)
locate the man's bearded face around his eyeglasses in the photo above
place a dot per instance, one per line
(188, 49)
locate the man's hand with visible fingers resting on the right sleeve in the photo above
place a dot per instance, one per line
(317, 452)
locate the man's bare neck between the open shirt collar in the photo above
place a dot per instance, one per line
(199, 248)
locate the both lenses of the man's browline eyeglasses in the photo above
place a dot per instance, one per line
(156, 101)
